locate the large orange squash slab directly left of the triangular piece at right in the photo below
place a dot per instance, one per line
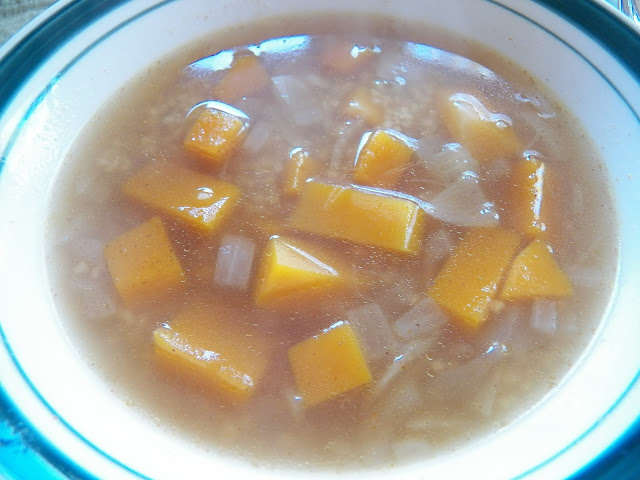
(468, 281)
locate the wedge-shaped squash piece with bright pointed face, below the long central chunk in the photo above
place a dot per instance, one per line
(292, 273)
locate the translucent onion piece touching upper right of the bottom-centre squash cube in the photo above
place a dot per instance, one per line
(374, 332)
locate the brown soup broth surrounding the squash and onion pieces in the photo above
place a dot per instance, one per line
(453, 386)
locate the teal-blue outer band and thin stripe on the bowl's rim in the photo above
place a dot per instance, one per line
(41, 457)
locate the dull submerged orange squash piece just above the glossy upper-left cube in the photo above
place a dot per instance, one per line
(246, 77)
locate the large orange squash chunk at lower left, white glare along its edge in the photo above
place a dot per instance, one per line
(209, 346)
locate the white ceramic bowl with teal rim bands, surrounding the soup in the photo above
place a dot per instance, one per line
(56, 73)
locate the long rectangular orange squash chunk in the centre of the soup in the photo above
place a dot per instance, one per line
(359, 215)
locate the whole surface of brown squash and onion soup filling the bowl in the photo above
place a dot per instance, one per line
(333, 248)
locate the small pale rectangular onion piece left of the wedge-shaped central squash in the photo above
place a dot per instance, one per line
(234, 262)
